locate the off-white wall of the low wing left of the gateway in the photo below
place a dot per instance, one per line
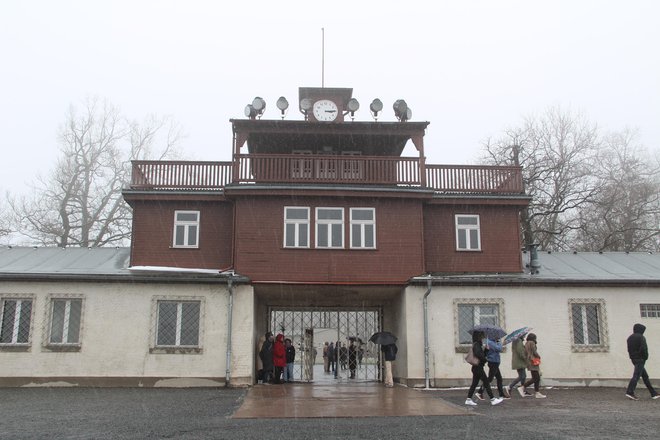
(117, 337)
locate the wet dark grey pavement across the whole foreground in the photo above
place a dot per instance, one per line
(210, 413)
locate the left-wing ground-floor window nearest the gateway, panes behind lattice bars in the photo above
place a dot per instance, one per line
(178, 323)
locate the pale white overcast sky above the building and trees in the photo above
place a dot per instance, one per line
(471, 68)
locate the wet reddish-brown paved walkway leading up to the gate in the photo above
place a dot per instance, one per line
(341, 400)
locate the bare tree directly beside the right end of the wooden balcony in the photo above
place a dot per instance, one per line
(557, 152)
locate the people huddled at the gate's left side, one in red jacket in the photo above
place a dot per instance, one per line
(277, 357)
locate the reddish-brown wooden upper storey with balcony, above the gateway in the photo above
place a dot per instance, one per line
(340, 165)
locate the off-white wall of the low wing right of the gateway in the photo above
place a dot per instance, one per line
(546, 309)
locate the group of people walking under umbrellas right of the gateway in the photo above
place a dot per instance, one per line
(525, 356)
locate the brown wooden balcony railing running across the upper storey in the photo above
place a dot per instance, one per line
(325, 169)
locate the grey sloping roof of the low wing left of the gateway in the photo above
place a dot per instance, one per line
(99, 263)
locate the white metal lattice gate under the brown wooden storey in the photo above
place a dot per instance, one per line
(309, 329)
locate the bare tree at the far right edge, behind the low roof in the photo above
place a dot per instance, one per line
(625, 215)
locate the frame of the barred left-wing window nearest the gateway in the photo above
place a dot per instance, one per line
(177, 347)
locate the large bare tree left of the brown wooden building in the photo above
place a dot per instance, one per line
(80, 203)
